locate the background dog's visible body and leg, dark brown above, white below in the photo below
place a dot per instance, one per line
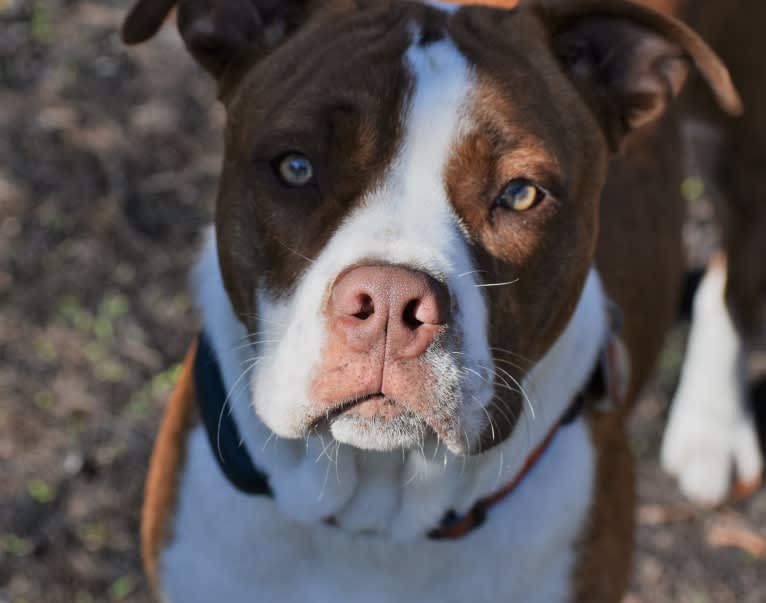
(711, 435)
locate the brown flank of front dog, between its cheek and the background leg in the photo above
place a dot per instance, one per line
(642, 272)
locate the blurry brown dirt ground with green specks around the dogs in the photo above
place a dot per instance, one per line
(108, 160)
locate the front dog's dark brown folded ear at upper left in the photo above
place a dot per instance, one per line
(218, 33)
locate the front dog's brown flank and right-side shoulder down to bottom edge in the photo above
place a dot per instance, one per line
(643, 281)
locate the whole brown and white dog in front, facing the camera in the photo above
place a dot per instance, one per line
(425, 216)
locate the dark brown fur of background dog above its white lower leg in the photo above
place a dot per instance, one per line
(735, 29)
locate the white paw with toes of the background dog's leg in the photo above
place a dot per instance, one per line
(707, 453)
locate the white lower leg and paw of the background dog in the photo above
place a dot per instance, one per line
(711, 432)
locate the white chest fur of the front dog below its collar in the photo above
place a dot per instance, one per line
(235, 548)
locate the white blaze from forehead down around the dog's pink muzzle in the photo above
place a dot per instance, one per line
(407, 220)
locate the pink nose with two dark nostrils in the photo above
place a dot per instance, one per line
(401, 308)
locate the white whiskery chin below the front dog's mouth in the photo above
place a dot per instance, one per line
(403, 432)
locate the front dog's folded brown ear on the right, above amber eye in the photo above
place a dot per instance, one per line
(630, 61)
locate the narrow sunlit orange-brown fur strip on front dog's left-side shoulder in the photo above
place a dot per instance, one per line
(168, 457)
